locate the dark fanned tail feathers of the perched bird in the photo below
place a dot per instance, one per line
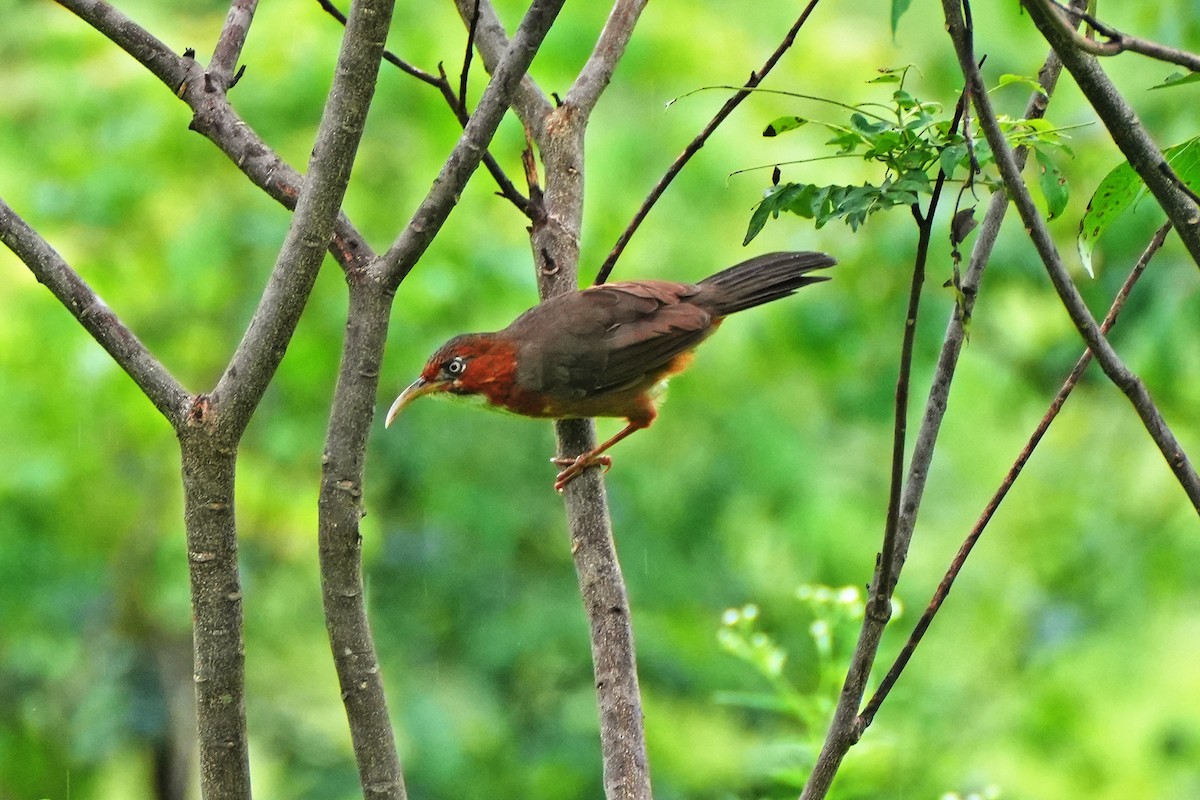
(761, 280)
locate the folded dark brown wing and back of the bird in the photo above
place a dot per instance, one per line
(608, 339)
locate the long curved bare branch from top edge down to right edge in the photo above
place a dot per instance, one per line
(1125, 380)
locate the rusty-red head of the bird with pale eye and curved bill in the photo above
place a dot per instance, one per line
(472, 364)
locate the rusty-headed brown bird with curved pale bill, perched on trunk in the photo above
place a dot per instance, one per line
(607, 351)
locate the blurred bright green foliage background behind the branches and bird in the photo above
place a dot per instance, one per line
(1065, 664)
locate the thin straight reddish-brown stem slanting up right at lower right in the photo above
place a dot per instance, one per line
(969, 544)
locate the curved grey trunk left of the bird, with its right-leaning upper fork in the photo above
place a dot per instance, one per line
(352, 416)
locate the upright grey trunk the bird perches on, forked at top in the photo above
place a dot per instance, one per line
(555, 237)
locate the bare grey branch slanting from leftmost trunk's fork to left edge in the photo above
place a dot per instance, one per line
(154, 380)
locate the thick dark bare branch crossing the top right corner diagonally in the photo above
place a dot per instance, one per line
(1124, 127)
